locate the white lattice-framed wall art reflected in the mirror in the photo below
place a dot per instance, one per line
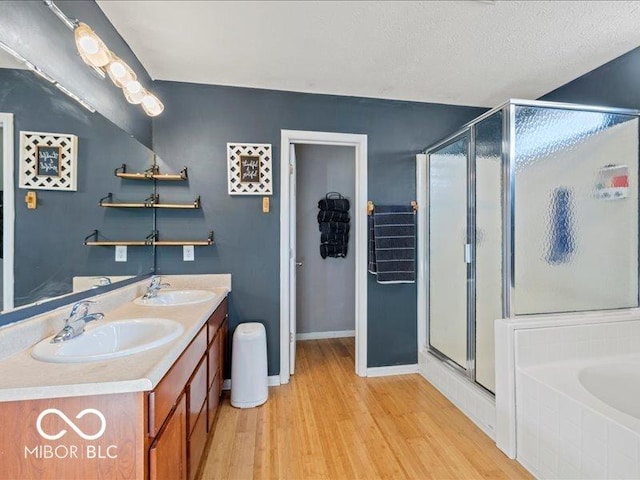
(48, 161)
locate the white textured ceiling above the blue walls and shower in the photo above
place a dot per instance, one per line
(461, 52)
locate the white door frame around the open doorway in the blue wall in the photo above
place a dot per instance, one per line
(359, 142)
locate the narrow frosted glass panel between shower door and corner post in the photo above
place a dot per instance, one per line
(488, 165)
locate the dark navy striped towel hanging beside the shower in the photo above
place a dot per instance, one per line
(395, 243)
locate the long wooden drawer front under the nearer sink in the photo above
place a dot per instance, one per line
(164, 396)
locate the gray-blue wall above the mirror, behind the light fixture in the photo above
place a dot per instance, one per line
(30, 28)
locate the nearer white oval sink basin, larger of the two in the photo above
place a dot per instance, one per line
(103, 341)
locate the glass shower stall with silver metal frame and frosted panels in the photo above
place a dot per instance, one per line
(532, 209)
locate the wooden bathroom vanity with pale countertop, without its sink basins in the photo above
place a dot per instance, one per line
(143, 416)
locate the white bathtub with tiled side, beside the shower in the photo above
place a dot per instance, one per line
(580, 418)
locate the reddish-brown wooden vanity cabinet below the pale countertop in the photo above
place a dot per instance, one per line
(156, 435)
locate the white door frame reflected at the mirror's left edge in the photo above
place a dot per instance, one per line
(8, 210)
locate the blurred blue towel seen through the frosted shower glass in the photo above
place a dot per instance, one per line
(560, 241)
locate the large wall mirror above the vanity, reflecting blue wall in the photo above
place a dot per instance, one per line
(48, 241)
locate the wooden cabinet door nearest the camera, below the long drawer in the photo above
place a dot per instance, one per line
(168, 454)
